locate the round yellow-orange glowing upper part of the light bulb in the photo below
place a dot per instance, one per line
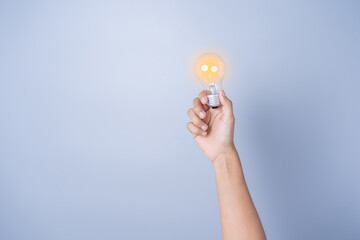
(214, 73)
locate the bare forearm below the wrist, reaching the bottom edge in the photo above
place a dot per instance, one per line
(239, 219)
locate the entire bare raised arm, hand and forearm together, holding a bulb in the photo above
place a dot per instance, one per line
(213, 131)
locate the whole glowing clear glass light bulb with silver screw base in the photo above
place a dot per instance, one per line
(210, 70)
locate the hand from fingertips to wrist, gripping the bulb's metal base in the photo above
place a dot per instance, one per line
(212, 129)
